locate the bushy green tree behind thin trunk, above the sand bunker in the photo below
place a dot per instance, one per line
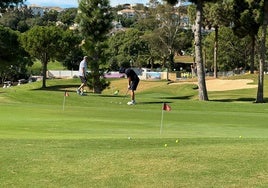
(232, 50)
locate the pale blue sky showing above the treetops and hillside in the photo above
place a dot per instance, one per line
(74, 3)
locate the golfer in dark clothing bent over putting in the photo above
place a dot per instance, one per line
(133, 81)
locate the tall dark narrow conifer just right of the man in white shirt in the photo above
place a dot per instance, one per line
(95, 20)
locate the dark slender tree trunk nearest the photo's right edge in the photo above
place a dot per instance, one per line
(260, 98)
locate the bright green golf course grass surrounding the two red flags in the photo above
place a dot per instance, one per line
(99, 141)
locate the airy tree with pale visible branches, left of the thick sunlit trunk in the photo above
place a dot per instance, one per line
(164, 33)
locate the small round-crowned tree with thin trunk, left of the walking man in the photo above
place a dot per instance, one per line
(47, 43)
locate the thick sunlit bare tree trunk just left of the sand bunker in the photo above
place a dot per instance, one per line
(198, 53)
